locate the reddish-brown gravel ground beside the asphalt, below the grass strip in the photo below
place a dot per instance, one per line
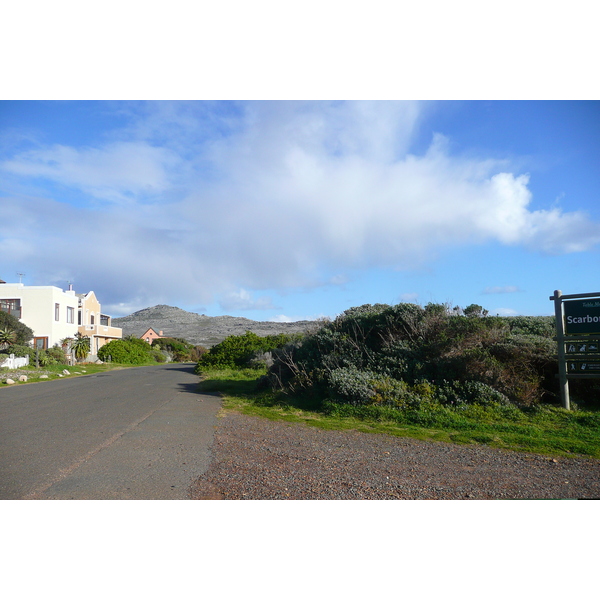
(258, 459)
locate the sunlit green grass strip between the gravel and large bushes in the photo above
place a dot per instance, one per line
(542, 430)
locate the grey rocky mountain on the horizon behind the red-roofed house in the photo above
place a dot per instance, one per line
(199, 329)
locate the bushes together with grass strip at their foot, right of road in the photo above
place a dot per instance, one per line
(433, 372)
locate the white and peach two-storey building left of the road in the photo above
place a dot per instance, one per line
(54, 314)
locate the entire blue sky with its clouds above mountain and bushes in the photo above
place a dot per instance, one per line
(286, 210)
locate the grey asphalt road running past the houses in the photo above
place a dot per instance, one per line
(140, 433)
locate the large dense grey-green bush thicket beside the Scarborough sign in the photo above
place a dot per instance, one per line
(407, 355)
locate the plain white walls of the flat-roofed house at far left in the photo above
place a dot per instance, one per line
(38, 309)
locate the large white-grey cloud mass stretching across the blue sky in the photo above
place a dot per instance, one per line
(273, 195)
